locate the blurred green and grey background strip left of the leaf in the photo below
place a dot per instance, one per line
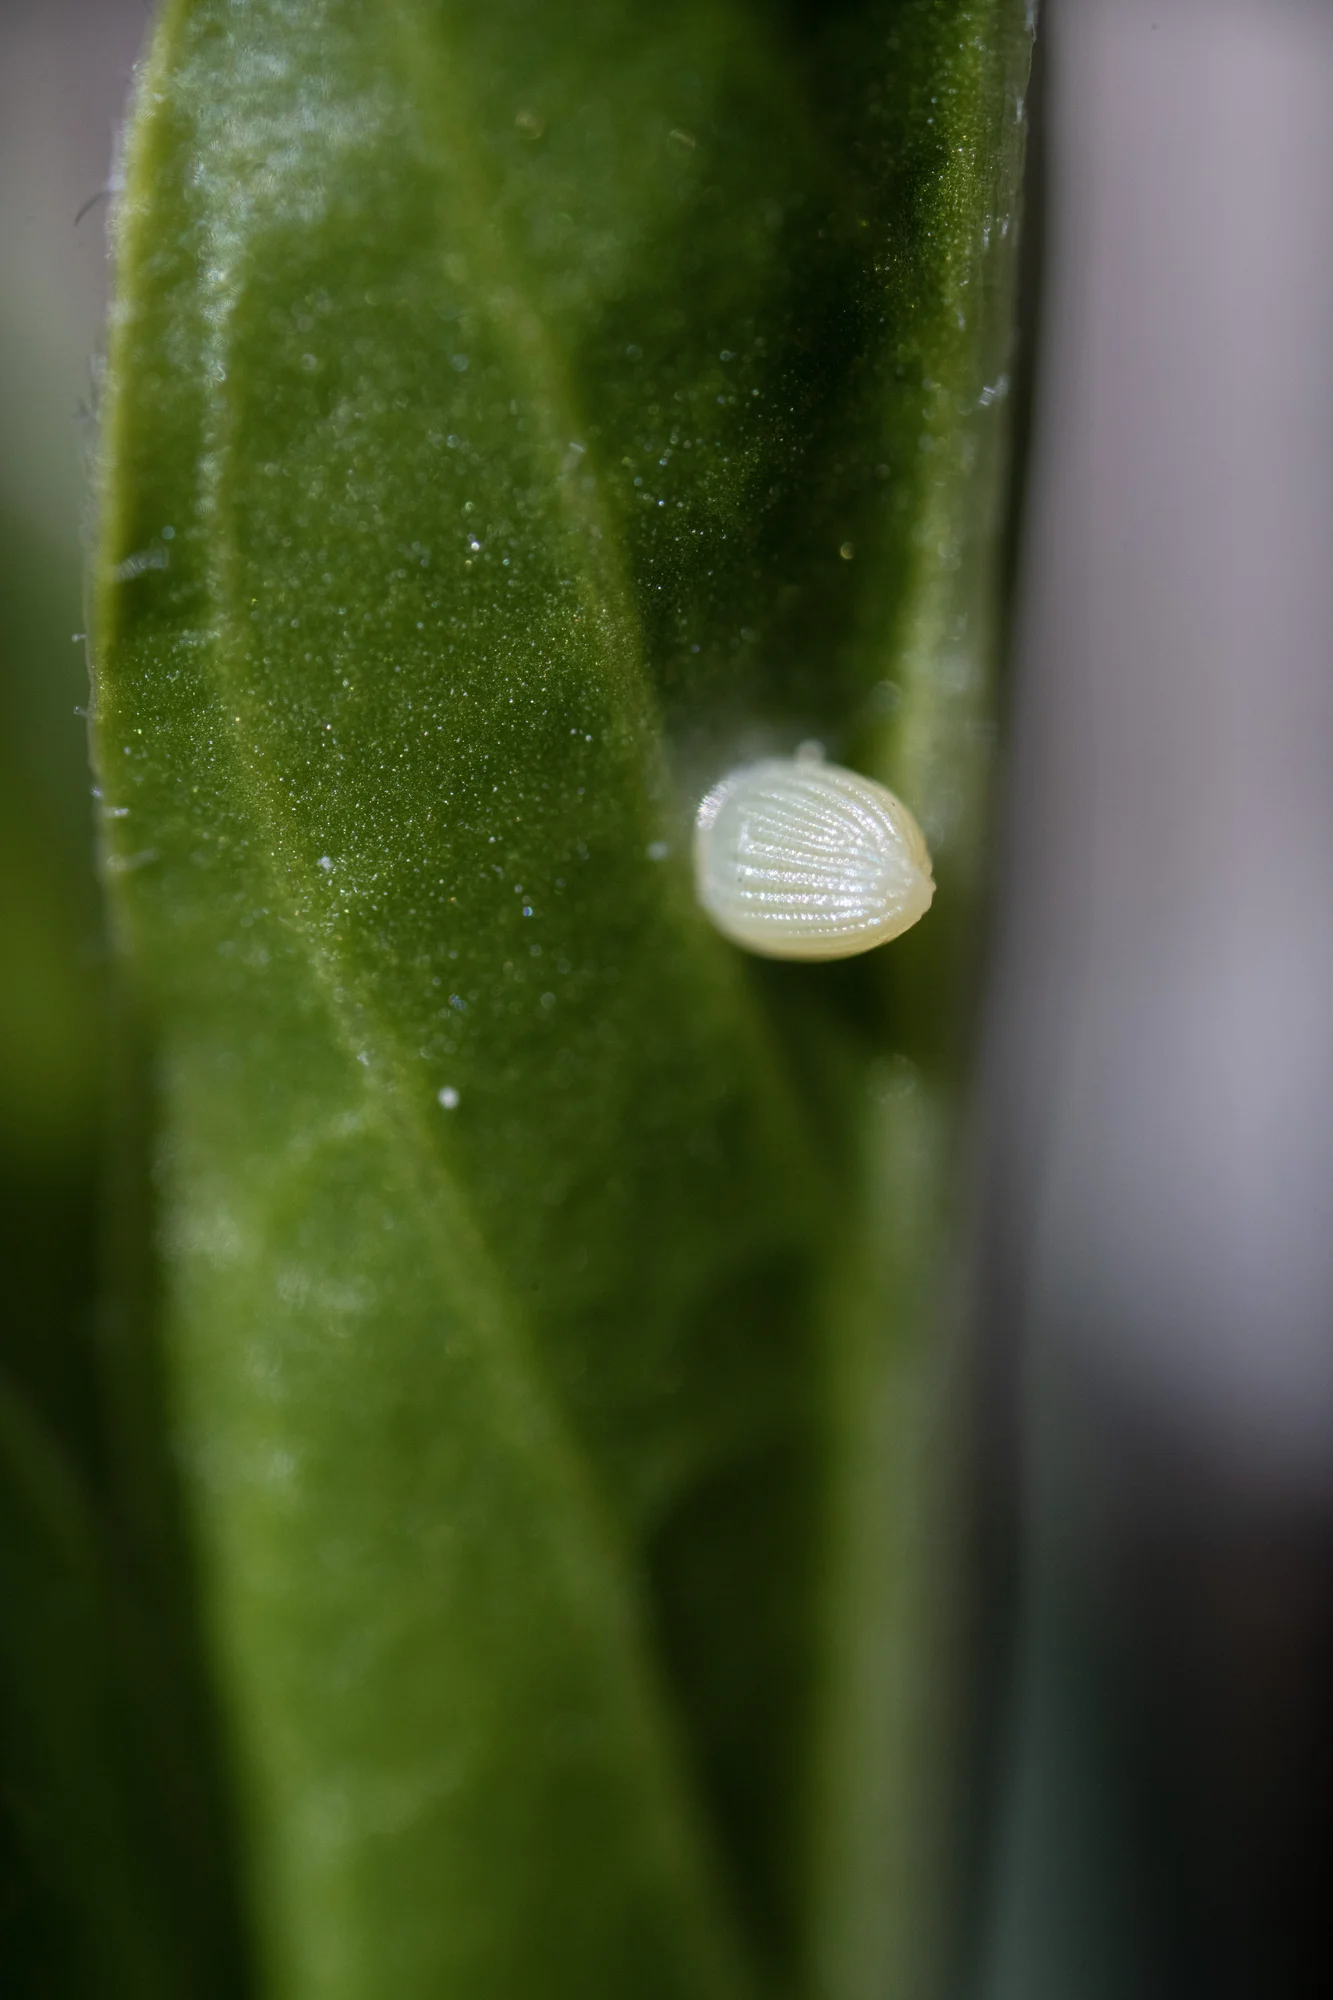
(65, 71)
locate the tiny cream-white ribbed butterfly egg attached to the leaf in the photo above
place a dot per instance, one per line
(800, 859)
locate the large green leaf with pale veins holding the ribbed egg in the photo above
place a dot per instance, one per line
(517, 417)
